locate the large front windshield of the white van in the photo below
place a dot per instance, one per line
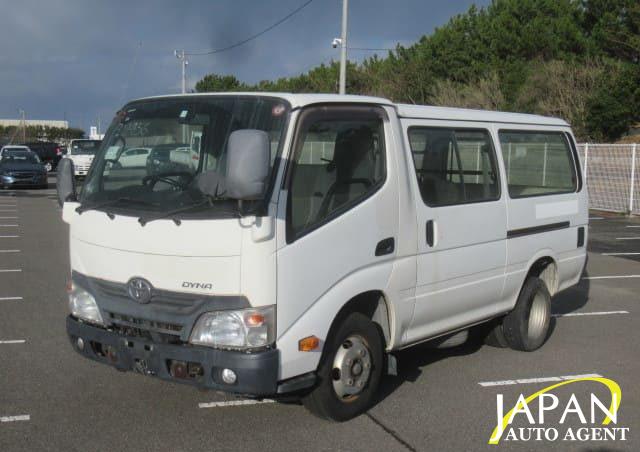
(155, 150)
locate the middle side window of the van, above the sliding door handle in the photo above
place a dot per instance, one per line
(454, 166)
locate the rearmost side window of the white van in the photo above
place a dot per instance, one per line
(537, 163)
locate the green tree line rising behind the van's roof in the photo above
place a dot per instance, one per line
(575, 59)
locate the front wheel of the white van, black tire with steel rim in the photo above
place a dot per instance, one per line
(333, 398)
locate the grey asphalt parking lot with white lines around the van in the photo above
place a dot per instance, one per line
(52, 399)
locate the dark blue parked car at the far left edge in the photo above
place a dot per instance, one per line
(21, 167)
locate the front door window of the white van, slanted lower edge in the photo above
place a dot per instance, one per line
(339, 161)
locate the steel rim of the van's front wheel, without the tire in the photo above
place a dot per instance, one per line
(351, 367)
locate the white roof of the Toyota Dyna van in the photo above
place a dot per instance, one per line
(404, 110)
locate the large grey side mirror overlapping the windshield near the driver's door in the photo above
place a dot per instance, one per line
(248, 164)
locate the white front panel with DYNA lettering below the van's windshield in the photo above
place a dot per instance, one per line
(199, 256)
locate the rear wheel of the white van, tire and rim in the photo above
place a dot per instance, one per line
(527, 327)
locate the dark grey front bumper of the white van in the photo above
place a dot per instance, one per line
(257, 373)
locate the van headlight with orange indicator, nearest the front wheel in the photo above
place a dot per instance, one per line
(243, 329)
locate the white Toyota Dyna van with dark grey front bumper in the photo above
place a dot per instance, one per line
(274, 245)
